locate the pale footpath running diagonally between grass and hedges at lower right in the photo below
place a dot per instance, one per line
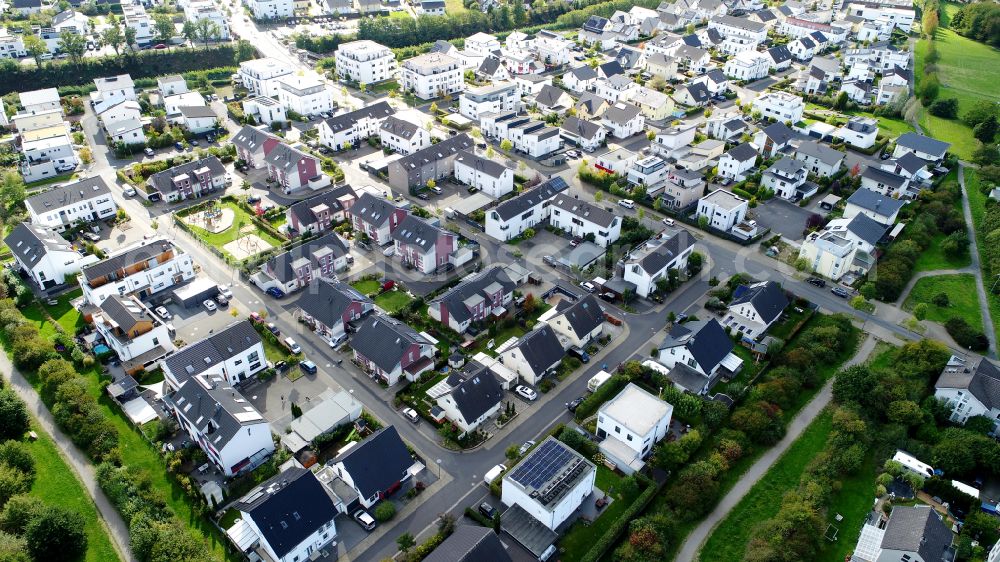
(692, 545)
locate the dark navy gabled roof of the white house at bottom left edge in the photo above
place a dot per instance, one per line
(288, 508)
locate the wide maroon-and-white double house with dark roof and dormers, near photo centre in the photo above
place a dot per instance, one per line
(478, 297)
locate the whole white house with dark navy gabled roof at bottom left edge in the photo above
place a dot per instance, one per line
(286, 518)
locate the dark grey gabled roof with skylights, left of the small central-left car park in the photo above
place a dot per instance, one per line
(204, 354)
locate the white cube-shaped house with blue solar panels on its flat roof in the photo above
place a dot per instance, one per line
(567, 481)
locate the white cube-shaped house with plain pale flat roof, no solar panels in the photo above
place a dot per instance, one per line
(631, 424)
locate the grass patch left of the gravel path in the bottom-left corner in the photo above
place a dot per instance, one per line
(56, 483)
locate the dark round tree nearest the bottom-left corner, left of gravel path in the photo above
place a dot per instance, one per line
(56, 533)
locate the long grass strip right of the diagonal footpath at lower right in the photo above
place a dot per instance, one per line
(729, 539)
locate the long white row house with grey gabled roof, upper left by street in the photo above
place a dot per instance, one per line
(83, 201)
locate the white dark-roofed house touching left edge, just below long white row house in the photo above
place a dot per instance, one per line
(45, 256)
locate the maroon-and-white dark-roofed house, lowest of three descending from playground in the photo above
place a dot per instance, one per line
(389, 349)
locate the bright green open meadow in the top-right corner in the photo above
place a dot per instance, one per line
(962, 69)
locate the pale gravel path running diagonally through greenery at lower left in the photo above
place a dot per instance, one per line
(110, 518)
